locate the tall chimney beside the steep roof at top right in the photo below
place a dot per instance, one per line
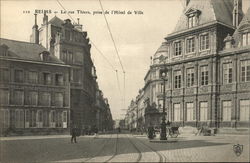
(237, 13)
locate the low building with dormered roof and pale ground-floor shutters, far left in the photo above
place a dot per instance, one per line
(34, 90)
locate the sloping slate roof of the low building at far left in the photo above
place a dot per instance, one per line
(26, 51)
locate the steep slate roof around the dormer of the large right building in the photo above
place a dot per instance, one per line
(211, 10)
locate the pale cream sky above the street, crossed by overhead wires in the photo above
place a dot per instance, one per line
(137, 36)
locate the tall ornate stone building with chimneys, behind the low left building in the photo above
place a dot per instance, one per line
(70, 44)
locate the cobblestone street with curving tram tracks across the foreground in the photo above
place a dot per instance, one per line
(123, 148)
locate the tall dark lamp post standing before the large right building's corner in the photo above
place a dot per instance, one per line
(163, 123)
